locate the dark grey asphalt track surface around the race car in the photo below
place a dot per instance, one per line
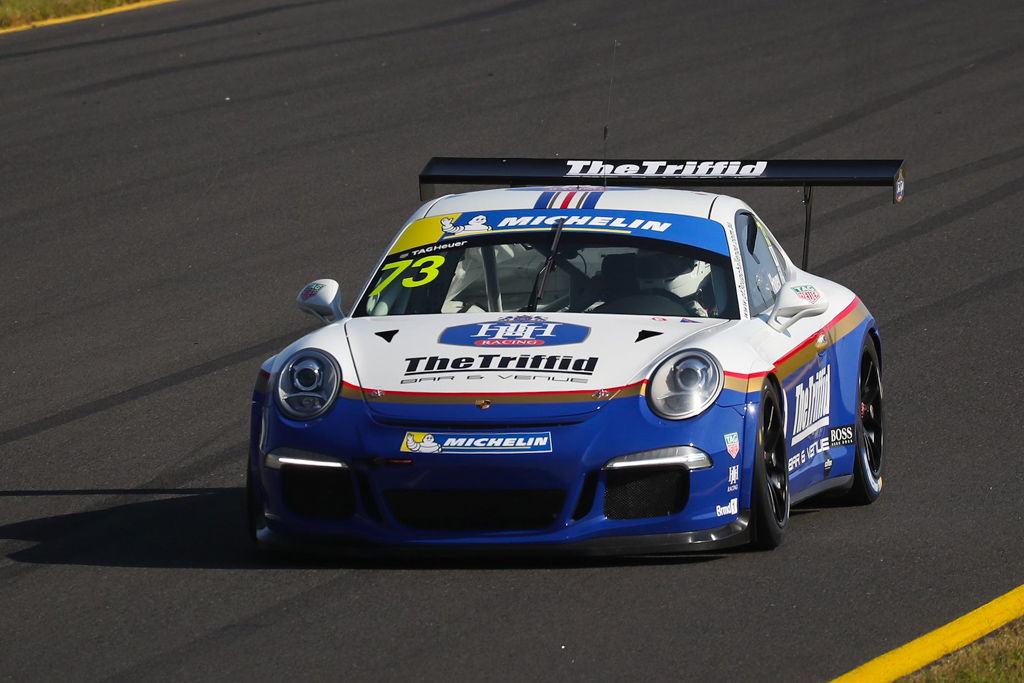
(170, 178)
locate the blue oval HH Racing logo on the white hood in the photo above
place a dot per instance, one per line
(516, 331)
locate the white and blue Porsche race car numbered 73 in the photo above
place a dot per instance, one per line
(603, 365)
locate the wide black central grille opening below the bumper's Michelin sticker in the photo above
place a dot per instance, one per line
(458, 510)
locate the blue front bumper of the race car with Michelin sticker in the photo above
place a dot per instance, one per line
(551, 496)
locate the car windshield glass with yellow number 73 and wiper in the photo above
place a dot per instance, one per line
(590, 274)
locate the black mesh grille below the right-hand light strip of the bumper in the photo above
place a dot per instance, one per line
(637, 493)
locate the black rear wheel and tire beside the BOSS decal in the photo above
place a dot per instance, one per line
(870, 431)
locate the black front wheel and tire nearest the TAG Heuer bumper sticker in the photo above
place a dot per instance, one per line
(771, 495)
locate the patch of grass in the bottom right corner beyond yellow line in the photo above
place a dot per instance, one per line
(997, 658)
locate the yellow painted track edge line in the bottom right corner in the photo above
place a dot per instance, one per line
(921, 653)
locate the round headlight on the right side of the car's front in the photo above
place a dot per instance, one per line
(685, 386)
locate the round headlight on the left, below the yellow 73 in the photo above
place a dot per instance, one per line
(308, 385)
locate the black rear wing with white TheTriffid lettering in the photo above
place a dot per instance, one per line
(665, 174)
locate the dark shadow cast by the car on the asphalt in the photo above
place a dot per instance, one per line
(205, 529)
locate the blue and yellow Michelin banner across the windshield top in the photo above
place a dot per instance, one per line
(691, 231)
